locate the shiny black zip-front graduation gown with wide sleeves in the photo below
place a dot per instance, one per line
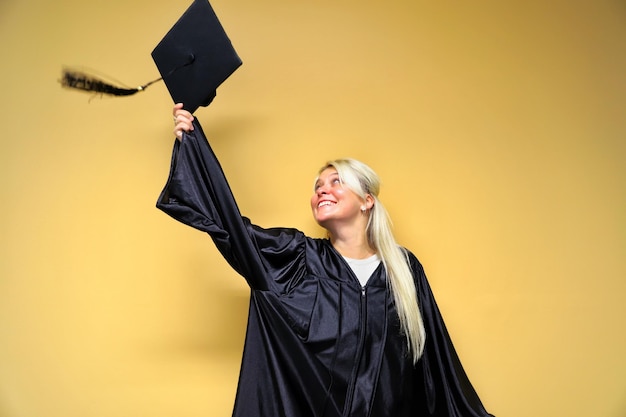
(317, 343)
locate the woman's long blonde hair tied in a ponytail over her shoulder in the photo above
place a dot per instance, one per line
(362, 180)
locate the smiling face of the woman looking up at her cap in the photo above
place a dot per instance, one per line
(333, 203)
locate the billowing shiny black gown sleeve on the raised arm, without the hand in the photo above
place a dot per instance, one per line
(198, 195)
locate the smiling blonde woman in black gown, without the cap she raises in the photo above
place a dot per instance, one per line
(343, 326)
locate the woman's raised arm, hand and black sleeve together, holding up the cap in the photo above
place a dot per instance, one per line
(197, 194)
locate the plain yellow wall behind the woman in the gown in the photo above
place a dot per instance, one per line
(498, 128)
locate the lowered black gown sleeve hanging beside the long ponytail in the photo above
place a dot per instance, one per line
(441, 381)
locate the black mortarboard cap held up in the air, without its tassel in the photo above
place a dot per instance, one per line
(195, 57)
